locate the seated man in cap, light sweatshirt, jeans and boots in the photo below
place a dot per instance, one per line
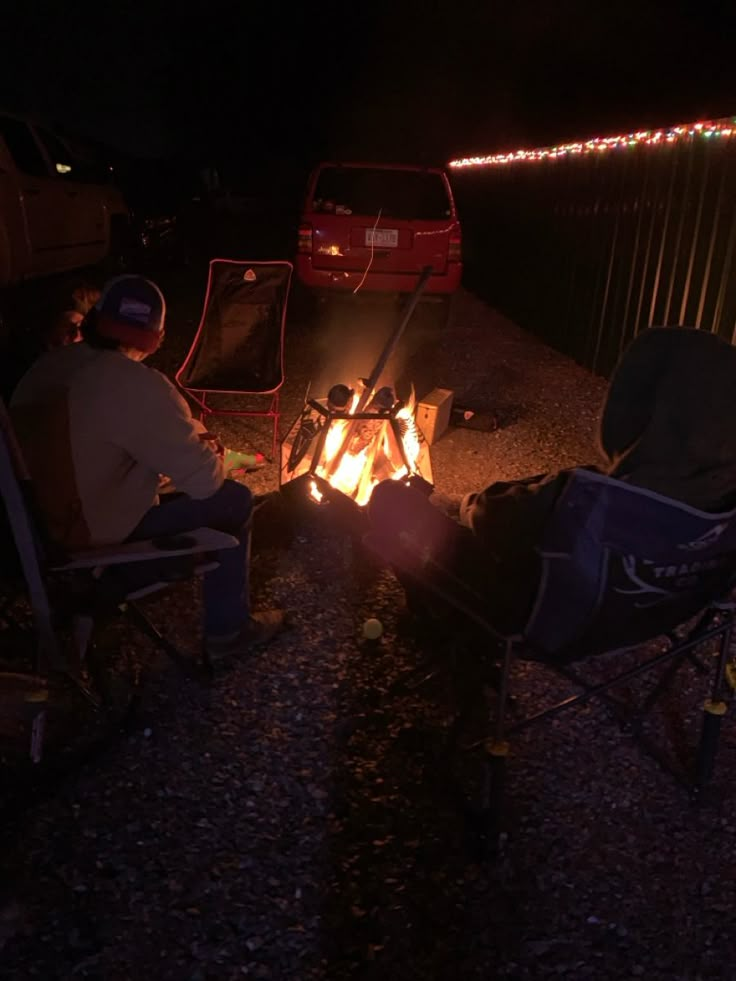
(98, 427)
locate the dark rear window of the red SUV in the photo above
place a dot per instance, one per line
(403, 194)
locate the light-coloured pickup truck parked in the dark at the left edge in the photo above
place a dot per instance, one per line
(56, 212)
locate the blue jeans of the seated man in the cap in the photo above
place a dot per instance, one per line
(225, 589)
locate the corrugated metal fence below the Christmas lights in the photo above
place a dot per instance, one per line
(587, 250)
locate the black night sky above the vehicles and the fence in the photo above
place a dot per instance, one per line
(398, 80)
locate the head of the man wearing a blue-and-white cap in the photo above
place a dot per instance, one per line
(128, 317)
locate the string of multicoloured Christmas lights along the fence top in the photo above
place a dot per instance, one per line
(600, 144)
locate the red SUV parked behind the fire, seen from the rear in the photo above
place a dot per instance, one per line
(374, 227)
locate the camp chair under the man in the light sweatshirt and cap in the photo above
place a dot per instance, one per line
(69, 593)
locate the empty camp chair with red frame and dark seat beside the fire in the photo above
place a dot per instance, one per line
(239, 345)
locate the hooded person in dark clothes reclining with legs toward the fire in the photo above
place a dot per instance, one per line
(667, 426)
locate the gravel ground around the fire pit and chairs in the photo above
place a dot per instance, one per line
(276, 825)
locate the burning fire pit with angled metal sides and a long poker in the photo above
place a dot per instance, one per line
(346, 442)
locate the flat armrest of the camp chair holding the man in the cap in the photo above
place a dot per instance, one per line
(166, 547)
